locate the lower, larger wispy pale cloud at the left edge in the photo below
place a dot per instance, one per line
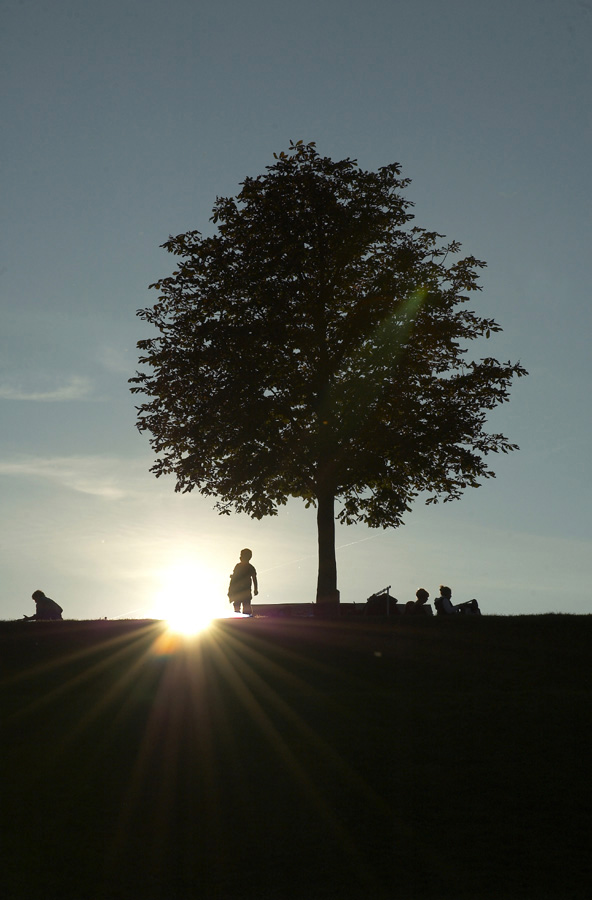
(99, 476)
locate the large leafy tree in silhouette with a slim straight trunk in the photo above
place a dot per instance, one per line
(315, 346)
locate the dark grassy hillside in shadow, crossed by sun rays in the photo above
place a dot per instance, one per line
(297, 759)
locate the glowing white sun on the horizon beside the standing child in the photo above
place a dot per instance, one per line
(190, 597)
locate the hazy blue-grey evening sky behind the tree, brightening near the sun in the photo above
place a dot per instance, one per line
(121, 123)
